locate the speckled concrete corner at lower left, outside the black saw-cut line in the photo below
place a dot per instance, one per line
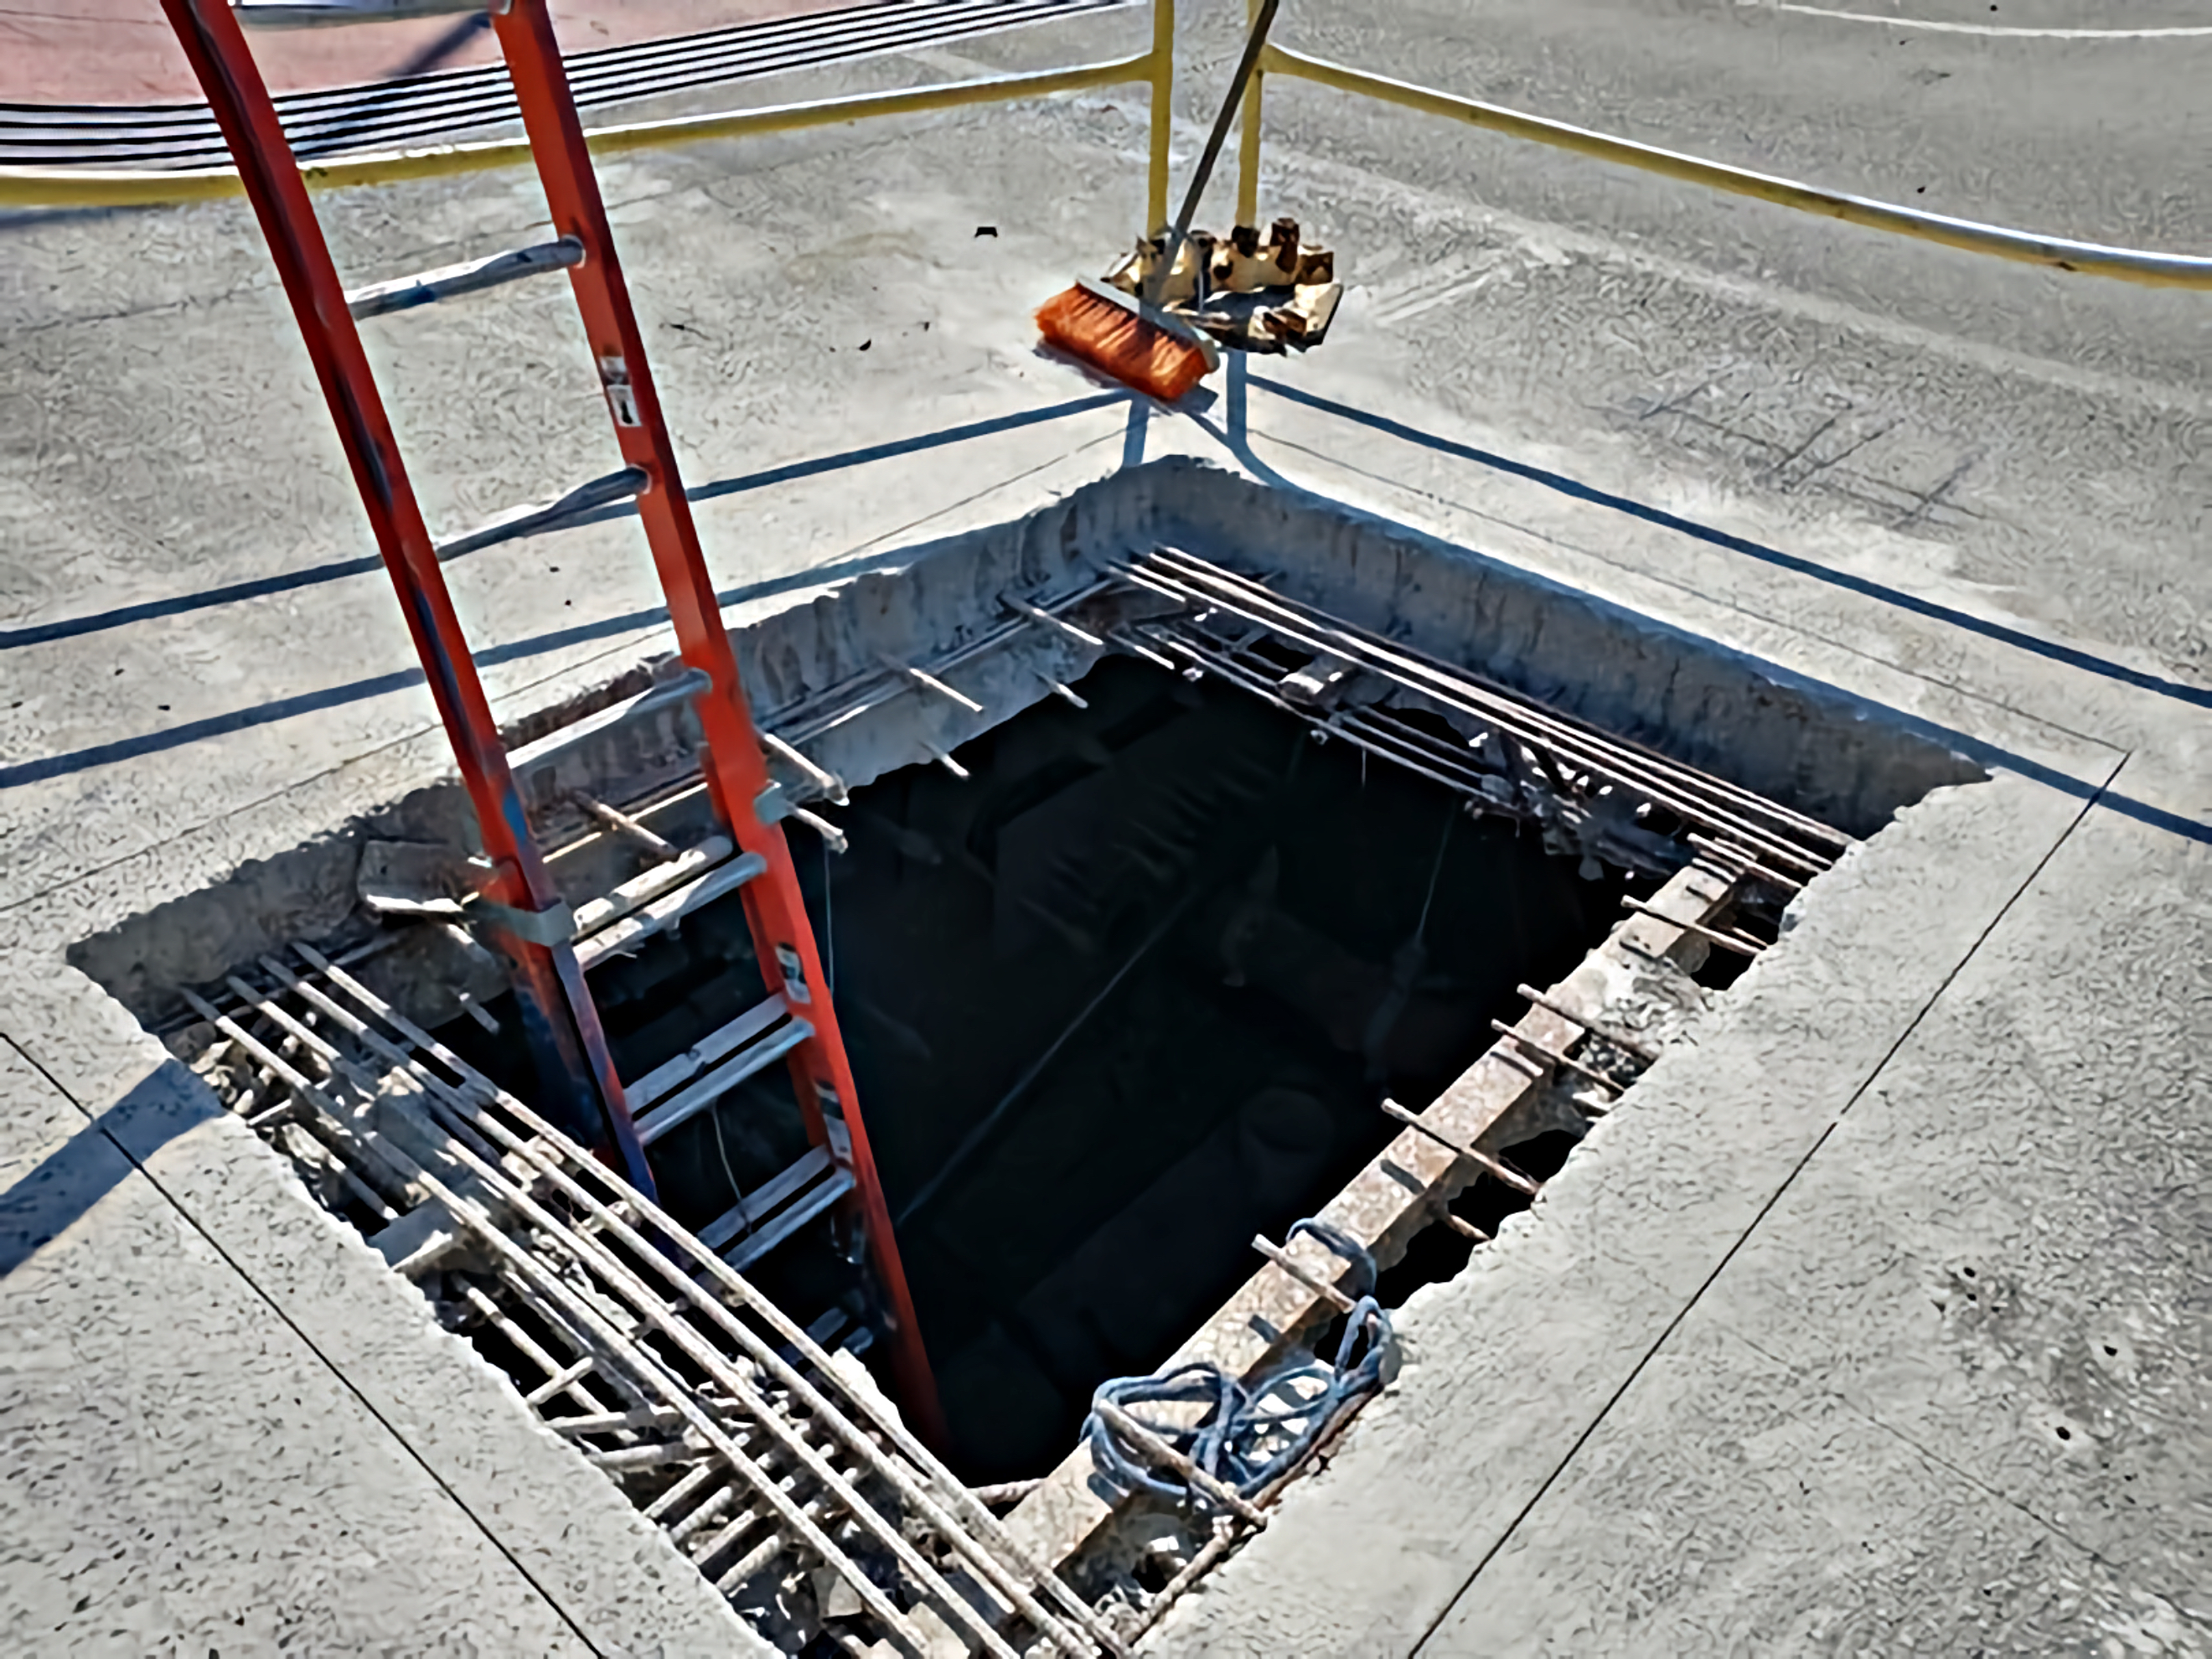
(187, 1472)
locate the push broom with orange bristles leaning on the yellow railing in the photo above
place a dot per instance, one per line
(1134, 337)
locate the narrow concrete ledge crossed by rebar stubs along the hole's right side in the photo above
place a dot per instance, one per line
(1401, 1191)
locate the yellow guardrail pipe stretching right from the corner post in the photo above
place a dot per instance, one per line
(2087, 258)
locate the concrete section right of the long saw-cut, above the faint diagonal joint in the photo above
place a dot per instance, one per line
(2012, 1218)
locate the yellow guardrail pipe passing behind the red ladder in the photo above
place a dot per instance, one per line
(156, 189)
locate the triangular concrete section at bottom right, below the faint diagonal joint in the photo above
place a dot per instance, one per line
(1744, 1510)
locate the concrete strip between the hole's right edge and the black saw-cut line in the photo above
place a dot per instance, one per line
(1516, 1359)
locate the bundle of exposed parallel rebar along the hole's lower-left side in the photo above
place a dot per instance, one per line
(651, 1308)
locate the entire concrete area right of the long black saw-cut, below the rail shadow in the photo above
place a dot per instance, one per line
(1987, 1286)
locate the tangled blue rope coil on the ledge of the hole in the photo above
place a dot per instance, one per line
(1251, 1437)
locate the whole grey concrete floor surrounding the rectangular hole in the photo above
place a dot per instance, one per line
(1724, 1388)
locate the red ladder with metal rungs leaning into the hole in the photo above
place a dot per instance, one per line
(532, 924)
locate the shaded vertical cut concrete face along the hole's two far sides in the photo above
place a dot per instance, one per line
(1751, 722)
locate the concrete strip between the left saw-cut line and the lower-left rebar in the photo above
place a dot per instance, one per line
(612, 1574)
